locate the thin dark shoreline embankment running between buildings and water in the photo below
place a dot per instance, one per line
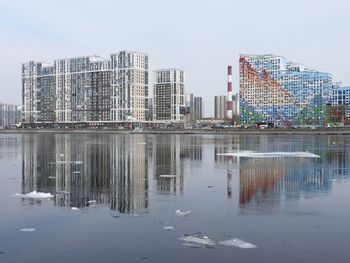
(327, 131)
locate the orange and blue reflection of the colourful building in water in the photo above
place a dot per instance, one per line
(266, 180)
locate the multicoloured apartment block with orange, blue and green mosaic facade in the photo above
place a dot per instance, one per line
(274, 90)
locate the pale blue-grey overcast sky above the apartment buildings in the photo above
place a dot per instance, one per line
(201, 37)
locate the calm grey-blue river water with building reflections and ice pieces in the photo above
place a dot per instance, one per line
(126, 188)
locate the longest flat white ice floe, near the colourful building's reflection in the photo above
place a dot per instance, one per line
(251, 154)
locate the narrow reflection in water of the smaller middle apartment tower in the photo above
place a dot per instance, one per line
(167, 161)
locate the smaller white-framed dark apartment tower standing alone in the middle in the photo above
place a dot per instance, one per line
(168, 94)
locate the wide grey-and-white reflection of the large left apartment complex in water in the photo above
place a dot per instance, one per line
(111, 169)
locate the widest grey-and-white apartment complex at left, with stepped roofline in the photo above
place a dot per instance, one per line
(85, 89)
